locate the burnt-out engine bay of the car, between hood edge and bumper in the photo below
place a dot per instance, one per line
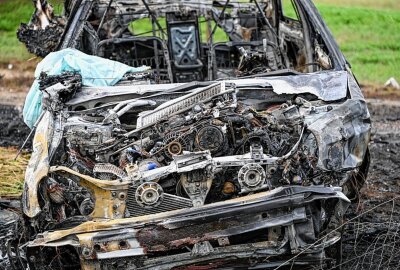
(212, 144)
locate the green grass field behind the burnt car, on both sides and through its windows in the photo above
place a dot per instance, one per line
(366, 30)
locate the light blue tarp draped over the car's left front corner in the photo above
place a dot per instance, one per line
(95, 71)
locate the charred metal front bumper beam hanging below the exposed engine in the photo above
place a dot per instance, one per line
(201, 230)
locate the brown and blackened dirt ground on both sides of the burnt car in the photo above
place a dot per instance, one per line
(372, 229)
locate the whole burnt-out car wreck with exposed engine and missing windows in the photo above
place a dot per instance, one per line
(241, 152)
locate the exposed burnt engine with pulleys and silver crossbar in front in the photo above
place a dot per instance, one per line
(200, 148)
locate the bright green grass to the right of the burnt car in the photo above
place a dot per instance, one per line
(370, 40)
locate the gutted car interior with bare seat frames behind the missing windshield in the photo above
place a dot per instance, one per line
(195, 41)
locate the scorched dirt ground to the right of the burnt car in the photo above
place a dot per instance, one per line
(371, 235)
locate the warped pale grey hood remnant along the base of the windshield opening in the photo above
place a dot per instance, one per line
(326, 85)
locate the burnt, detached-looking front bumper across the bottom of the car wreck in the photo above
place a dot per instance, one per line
(261, 230)
